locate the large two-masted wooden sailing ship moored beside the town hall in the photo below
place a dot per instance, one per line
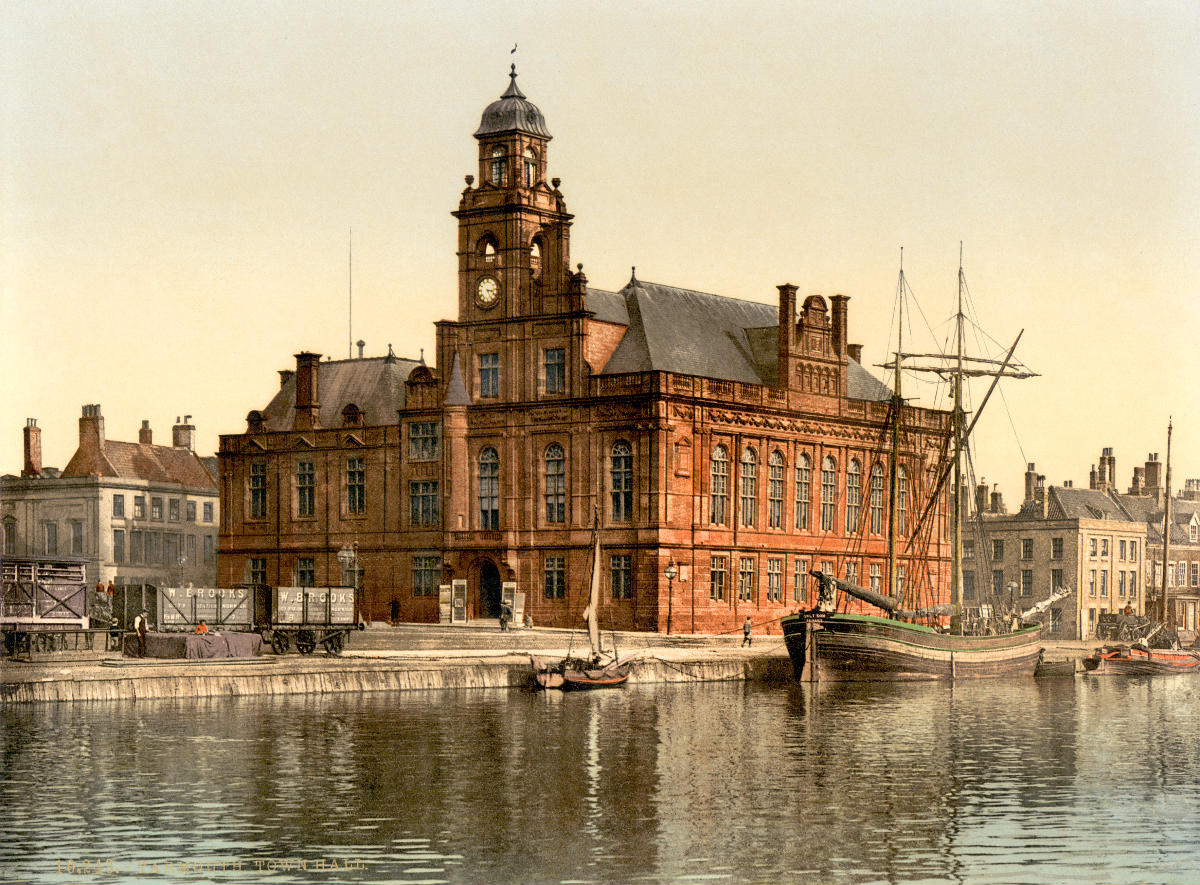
(837, 646)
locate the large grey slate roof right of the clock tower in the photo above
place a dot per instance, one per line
(698, 334)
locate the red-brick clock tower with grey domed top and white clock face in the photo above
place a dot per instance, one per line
(513, 224)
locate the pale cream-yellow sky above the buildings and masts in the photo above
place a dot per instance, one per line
(182, 185)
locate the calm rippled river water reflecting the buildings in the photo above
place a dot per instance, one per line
(1058, 781)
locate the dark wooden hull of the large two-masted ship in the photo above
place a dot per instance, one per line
(844, 648)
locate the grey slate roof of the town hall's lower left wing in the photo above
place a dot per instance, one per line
(375, 384)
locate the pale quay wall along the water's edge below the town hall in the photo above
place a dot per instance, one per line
(143, 682)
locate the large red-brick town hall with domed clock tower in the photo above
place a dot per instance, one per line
(741, 443)
